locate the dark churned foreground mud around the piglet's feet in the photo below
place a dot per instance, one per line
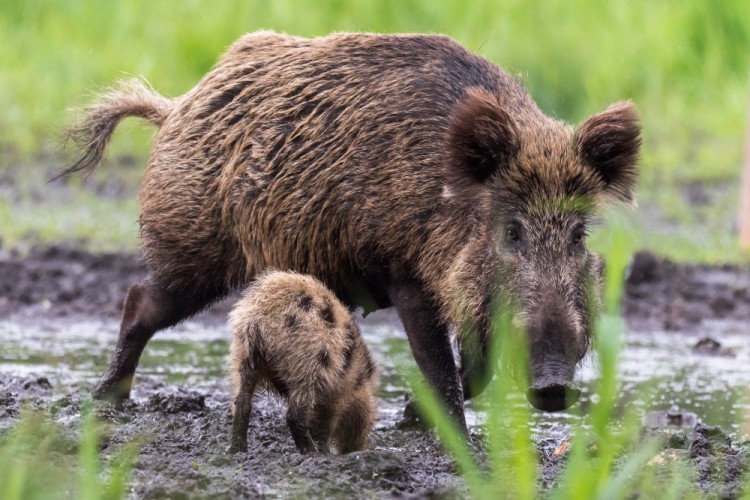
(185, 435)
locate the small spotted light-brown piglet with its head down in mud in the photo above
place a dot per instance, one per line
(293, 337)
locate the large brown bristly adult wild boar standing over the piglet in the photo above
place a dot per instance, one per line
(401, 170)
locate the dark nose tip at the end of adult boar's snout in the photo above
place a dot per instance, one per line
(551, 386)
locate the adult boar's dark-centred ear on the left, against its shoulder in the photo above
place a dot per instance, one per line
(481, 137)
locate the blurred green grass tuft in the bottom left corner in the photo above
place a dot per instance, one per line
(40, 461)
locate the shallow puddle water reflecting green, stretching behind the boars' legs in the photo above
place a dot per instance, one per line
(658, 370)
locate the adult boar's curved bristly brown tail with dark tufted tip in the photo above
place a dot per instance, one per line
(132, 97)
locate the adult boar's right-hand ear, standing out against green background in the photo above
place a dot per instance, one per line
(609, 142)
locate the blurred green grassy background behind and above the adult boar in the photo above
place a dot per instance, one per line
(684, 62)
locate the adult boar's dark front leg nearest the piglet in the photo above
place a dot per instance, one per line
(429, 340)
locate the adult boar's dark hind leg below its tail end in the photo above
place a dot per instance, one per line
(148, 308)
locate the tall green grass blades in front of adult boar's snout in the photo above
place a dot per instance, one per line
(605, 460)
